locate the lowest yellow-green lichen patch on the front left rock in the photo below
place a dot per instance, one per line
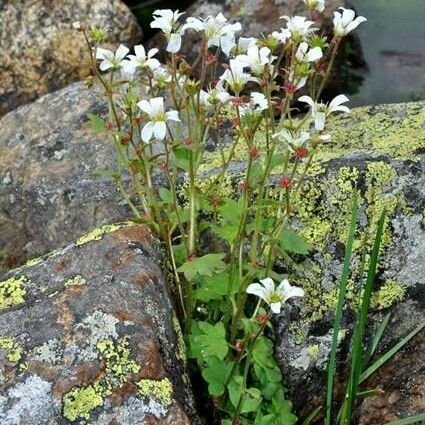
(80, 402)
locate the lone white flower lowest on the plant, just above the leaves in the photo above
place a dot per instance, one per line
(273, 296)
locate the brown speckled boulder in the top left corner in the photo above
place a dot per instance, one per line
(40, 52)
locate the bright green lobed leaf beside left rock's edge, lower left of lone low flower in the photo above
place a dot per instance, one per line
(211, 340)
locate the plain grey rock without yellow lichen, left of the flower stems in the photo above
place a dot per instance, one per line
(49, 189)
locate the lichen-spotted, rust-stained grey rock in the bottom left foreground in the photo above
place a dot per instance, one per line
(88, 335)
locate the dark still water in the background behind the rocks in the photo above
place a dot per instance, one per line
(393, 43)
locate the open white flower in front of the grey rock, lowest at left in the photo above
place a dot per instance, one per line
(158, 118)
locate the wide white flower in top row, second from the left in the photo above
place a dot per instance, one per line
(218, 31)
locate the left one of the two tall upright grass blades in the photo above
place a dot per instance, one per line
(340, 306)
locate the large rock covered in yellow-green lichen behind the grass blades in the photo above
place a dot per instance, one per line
(381, 150)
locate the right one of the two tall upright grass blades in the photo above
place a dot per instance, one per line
(356, 360)
